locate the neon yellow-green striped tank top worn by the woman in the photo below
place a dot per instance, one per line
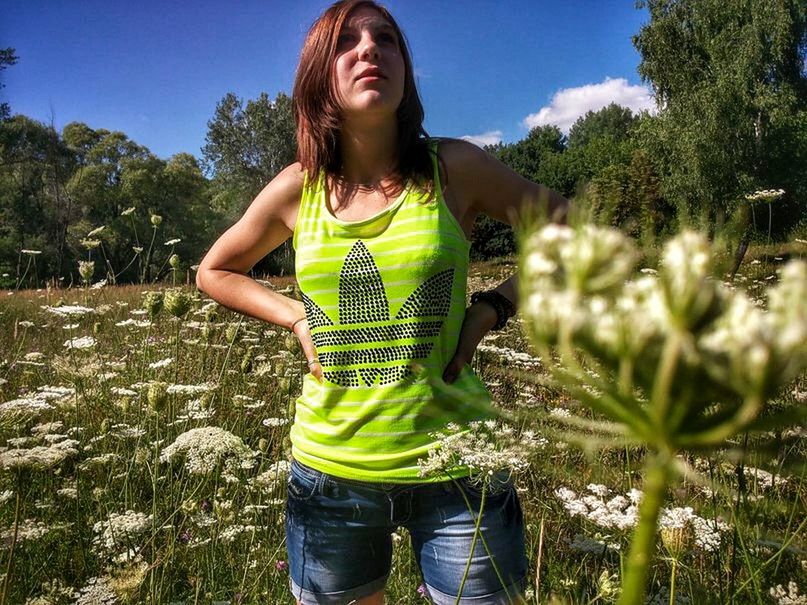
(380, 295)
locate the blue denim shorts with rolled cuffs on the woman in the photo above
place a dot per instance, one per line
(339, 538)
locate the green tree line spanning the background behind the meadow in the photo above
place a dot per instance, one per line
(729, 78)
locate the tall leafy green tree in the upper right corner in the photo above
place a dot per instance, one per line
(729, 79)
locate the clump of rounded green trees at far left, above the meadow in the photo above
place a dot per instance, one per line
(58, 189)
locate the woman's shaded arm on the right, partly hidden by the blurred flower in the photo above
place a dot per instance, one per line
(476, 182)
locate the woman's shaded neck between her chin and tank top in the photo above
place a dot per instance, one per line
(369, 153)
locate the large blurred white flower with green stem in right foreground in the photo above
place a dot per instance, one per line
(673, 360)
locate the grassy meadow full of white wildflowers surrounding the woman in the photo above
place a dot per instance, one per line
(95, 509)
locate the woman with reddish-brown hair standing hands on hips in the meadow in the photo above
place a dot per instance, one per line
(380, 217)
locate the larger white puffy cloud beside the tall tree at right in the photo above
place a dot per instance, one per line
(568, 104)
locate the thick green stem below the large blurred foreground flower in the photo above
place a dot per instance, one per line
(657, 473)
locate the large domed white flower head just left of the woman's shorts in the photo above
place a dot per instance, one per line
(205, 448)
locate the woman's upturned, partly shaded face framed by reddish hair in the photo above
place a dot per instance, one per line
(369, 68)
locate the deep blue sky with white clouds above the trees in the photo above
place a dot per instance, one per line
(487, 70)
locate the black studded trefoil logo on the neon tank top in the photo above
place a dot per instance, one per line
(364, 319)
